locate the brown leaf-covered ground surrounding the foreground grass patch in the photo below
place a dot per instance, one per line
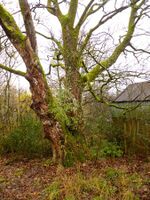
(26, 179)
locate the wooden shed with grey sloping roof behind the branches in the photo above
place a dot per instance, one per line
(133, 117)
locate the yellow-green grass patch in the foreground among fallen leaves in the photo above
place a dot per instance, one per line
(112, 184)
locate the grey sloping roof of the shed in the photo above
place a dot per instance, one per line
(137, 92)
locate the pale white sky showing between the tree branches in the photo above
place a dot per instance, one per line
(117, 28)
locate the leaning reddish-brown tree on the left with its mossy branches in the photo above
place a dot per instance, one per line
(41, 94)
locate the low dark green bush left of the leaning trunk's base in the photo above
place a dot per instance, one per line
(26, 139)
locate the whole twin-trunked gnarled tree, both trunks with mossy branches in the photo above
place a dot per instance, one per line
(71, 48)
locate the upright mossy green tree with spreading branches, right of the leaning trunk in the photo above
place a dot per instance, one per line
(72, 51)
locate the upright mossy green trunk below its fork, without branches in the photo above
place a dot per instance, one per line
(73, 82)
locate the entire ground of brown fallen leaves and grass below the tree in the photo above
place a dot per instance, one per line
(106, 179)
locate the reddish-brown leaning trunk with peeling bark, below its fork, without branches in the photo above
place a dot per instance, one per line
(42, 102)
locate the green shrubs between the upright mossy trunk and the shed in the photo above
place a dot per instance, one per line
(102, 137)
